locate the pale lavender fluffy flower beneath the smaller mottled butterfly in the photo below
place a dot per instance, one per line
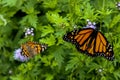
(18, 56)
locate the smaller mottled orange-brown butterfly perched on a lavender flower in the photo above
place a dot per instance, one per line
(29, 49)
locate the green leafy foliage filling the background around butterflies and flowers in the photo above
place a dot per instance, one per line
(51, 19)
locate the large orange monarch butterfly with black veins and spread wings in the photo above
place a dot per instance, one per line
(91, 42)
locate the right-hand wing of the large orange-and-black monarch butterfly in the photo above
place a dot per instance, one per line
(102, 47)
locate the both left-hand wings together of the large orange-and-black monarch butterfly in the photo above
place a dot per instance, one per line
(82, 39)
